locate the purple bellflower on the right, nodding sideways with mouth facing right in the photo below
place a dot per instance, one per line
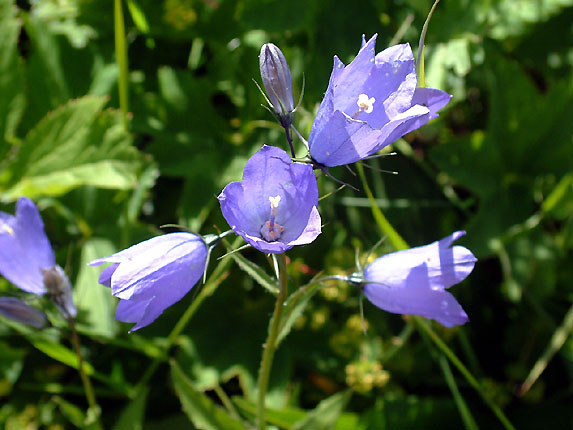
(414, 281)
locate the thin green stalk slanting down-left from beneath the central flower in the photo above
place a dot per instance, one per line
(214, 280)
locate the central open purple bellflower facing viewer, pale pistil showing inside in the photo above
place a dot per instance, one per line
(275, 206)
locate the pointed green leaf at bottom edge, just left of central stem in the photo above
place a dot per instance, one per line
(201, 410)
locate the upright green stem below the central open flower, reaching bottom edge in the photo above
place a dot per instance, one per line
(270, 345)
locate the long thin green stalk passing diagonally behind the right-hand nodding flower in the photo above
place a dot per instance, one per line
(400, 244)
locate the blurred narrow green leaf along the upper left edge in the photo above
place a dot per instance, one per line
(12, 75)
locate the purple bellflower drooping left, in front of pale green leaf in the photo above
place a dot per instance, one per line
(153, 275)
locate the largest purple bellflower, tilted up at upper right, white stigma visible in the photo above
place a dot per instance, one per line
(369, 104)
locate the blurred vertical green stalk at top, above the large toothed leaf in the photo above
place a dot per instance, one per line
(121, 57)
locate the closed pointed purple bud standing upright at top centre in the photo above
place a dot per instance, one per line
(277, 81)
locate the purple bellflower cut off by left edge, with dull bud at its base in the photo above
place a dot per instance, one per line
(27, 259)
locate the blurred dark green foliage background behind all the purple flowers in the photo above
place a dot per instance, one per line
(497, 163)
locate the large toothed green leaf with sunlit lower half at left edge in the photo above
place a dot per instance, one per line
(77, 144)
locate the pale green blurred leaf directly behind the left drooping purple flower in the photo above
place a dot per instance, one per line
(94, 301)
